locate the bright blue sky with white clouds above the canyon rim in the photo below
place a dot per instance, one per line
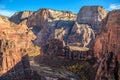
(9, 7)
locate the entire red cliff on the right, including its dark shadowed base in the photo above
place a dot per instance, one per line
(108, 41)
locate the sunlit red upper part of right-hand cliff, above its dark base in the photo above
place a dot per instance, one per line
(109, 39)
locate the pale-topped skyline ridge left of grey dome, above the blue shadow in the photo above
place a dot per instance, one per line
(40, 17)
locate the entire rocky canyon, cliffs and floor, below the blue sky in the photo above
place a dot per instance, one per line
(91, 36)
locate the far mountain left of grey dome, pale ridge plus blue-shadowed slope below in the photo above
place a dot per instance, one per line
(51, 24)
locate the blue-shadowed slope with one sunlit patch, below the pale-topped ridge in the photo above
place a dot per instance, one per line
(56, 30)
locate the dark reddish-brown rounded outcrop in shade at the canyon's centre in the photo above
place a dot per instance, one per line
(53, 48)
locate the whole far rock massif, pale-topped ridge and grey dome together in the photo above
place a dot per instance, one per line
(50, 24)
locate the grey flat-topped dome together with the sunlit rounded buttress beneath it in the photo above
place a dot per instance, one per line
(87, 25)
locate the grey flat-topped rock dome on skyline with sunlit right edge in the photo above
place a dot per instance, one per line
(92, 15)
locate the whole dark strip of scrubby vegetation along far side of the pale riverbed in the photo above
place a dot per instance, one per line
(84, 69)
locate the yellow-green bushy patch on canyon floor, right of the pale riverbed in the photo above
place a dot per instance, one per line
(82, 70)
